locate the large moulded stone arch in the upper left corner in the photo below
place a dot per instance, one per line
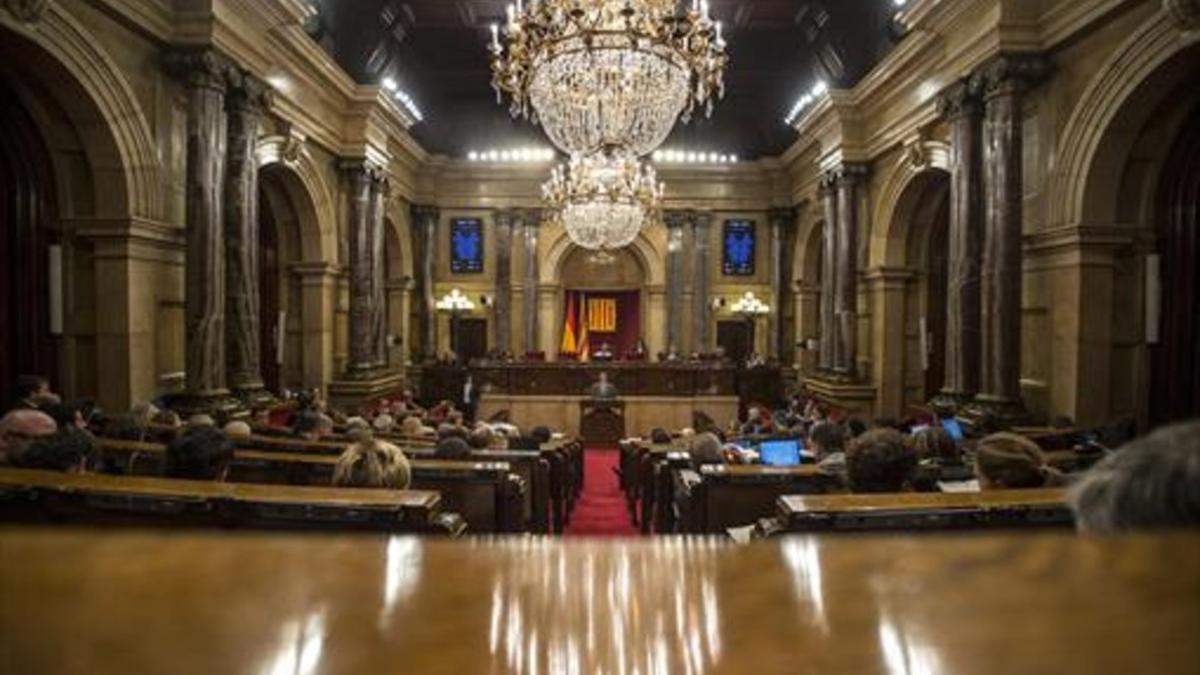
(121, 147)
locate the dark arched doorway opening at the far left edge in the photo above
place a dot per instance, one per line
(29, 228)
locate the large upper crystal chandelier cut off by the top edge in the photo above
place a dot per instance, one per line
(603, 74)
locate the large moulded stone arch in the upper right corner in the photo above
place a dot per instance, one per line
(1085, 183)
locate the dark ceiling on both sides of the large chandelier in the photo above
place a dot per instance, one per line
(436, 51)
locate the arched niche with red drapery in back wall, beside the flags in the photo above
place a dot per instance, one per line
(615, 280)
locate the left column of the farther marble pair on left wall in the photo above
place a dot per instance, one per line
(367, 282)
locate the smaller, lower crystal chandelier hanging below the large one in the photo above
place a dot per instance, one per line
(604, 200)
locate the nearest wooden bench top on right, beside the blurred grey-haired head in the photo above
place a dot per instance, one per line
(1045, 507)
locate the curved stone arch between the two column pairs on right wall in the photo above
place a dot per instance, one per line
(898, 199)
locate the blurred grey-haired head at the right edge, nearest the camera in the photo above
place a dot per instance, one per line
(1151, 483)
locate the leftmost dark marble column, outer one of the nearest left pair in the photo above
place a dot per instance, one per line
(206, 76)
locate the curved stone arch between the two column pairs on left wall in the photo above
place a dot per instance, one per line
(311, 199)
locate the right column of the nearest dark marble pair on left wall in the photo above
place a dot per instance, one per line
(245, 105)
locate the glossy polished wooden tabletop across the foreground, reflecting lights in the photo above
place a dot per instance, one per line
(130, 602)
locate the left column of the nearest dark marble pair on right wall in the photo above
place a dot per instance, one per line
(962, 107)
